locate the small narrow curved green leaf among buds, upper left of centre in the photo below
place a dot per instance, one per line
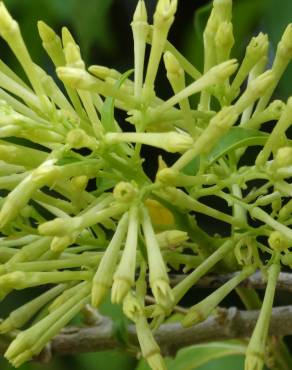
(107, 112)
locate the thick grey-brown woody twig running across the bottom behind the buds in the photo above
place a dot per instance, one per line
(227, 324)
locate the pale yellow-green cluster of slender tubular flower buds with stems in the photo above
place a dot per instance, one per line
(123, 235)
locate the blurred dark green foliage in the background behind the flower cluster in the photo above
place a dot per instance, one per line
(102, 29)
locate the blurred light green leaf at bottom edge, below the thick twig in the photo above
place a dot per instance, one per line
(193, 357)
